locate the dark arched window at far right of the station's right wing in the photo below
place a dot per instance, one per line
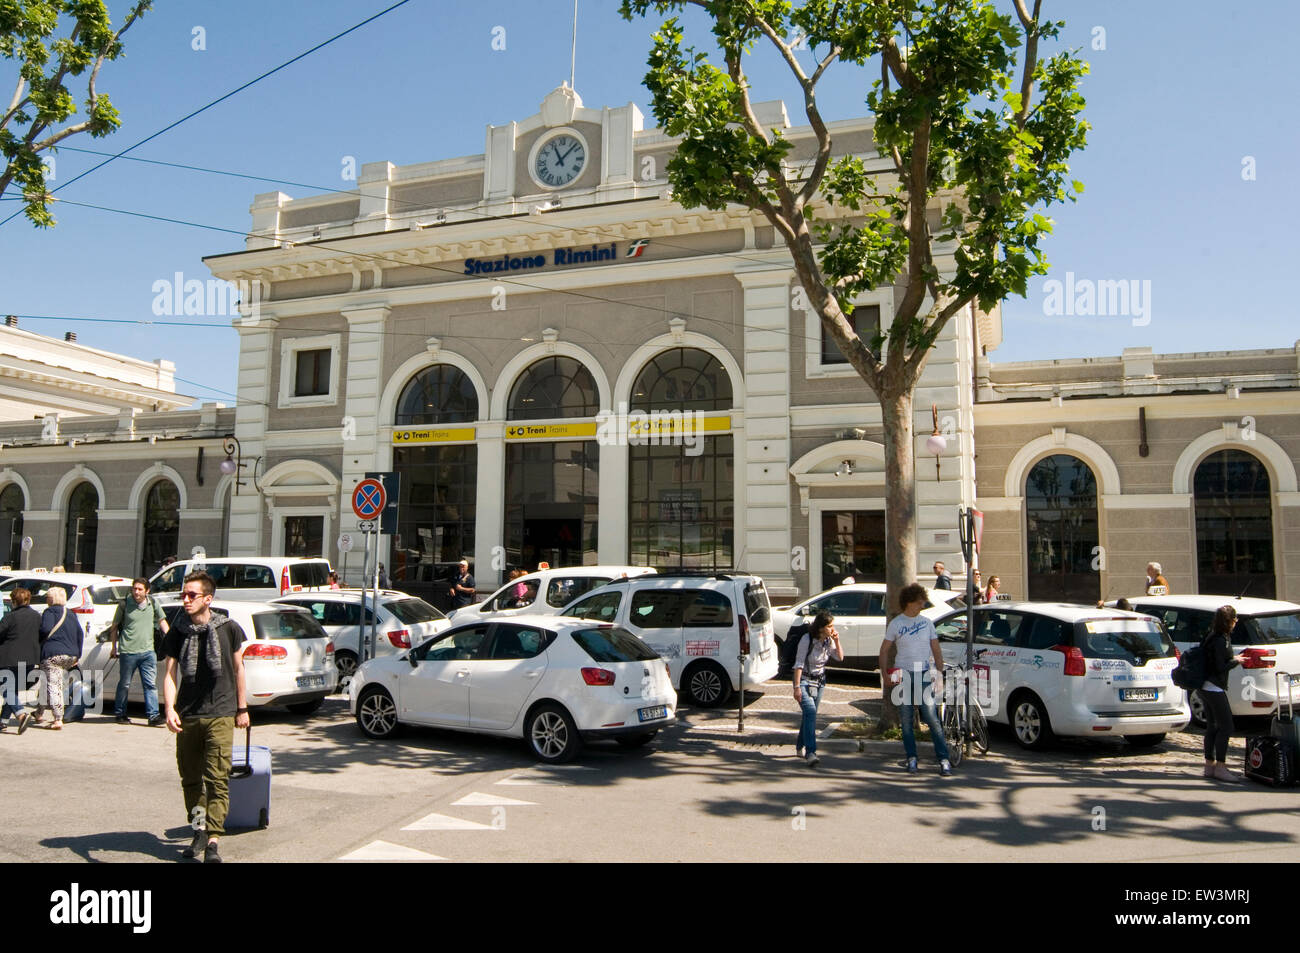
(1234, 526)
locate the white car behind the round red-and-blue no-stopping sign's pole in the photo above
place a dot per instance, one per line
(402, 621)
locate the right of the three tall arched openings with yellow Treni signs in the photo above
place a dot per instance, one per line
(682, 488)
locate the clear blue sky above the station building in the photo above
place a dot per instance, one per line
(1182, 98)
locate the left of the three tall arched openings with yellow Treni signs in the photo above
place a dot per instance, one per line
(440, 484)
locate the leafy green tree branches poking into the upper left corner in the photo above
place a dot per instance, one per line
(42, 103)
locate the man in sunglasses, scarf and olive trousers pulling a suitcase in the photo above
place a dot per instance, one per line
(206, 698)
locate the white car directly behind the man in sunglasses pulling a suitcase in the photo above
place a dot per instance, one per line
(289, 661)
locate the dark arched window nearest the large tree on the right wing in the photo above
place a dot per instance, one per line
(1061, 508)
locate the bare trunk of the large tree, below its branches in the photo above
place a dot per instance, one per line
(900, 513)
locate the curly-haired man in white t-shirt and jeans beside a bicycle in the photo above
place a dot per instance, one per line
(913, 664)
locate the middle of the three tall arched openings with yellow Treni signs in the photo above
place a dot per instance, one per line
(552, 486)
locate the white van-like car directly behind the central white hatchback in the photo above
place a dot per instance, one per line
(700, 625)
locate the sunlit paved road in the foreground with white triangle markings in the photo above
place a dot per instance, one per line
(106, 792)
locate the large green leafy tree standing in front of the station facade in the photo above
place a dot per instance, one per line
(976, 124)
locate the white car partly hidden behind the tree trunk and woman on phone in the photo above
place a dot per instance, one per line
(860, 618)
